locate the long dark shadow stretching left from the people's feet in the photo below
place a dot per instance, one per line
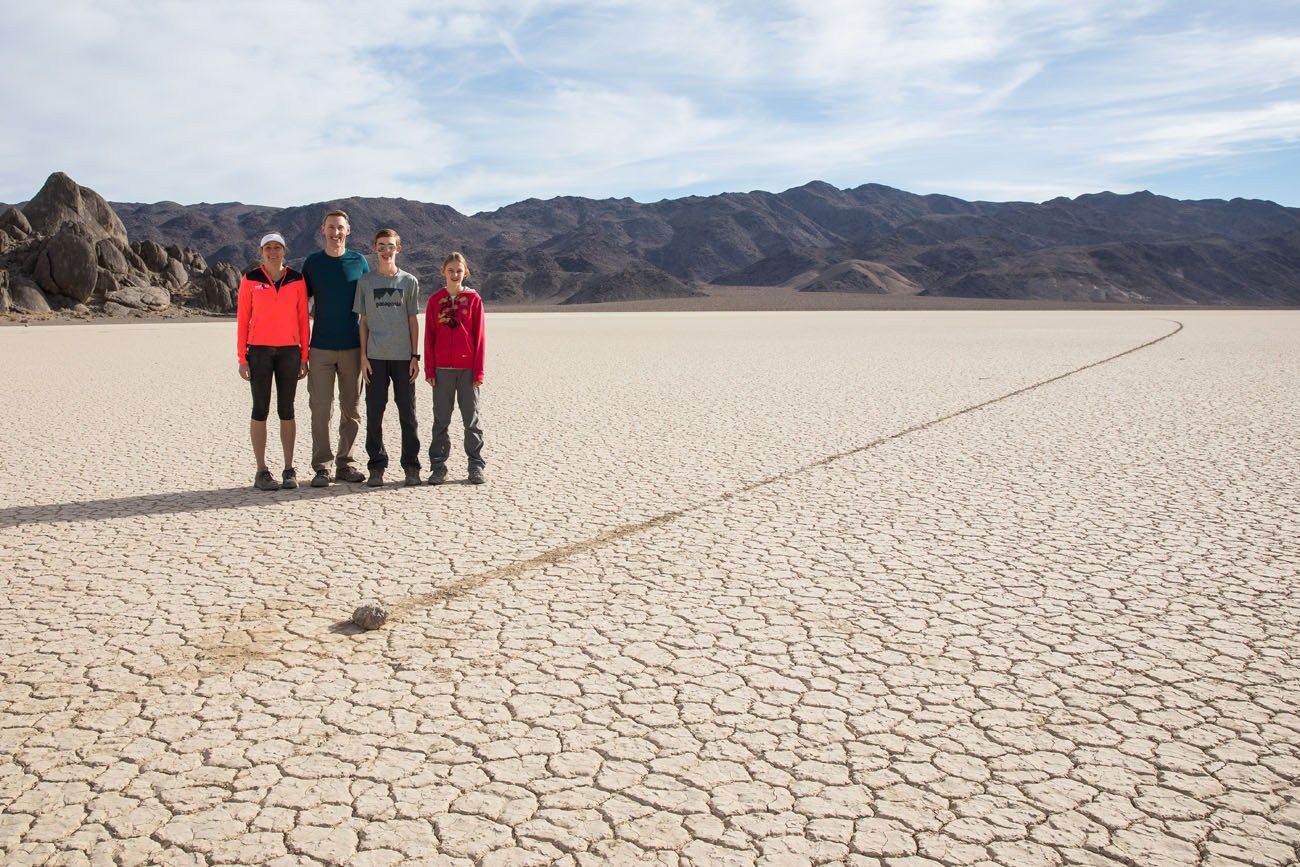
(174, 504)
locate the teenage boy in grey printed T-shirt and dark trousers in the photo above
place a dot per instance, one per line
(388, 304)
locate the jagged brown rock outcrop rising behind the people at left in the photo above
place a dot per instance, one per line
(68, 252)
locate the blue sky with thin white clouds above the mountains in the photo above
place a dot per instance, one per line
(482, 105)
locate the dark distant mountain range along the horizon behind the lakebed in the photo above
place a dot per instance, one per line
(1137, 248)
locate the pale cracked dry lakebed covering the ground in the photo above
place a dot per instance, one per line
(773, 588)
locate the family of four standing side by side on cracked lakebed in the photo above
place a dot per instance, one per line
(365, 330)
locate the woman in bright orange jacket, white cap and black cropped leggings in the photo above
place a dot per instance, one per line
(272, 345)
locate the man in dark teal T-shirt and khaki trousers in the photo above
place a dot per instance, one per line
(336, 350)
